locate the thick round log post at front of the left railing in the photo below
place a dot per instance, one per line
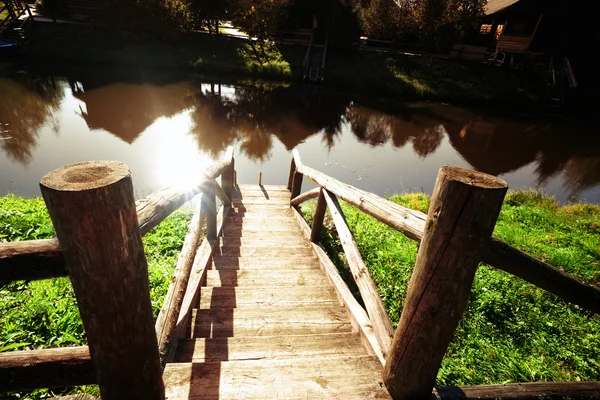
(93, 210)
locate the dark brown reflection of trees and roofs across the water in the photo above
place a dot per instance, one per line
(258, 119)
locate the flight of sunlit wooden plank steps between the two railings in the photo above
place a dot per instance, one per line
(268, 324)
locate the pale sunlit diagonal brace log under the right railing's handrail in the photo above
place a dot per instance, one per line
(368, 291)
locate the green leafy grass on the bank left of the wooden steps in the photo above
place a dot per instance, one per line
(39, 314)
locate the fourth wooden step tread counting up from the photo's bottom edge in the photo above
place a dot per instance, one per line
(256, 297)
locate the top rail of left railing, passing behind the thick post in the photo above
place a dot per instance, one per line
(42, 259)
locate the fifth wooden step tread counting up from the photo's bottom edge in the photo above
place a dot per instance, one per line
(275, 278)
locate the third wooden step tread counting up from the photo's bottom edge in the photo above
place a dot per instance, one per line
(294, 320)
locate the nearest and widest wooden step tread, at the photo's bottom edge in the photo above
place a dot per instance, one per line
(352, 378)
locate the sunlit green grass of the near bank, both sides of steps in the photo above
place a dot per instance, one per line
(511, 332)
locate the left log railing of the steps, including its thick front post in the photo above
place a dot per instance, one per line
(99, 246)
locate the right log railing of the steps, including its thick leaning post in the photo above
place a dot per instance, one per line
(454, 237)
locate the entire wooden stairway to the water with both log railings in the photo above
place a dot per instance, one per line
(256, 309)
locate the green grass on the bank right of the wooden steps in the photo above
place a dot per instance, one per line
(512, 331)
